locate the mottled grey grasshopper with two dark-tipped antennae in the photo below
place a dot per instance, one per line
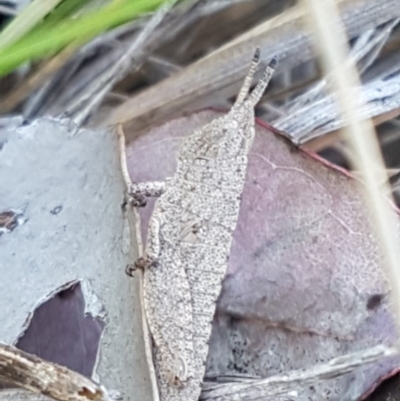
(189, 242)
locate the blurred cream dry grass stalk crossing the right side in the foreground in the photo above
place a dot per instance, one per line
(332, 44)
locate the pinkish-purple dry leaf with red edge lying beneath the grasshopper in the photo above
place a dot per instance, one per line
(304, 283)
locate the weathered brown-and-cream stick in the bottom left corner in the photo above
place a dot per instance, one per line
(34, 374)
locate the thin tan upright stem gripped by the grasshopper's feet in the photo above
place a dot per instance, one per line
(134, 227)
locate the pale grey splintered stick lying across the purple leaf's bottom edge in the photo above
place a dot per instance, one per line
(287, 383)
